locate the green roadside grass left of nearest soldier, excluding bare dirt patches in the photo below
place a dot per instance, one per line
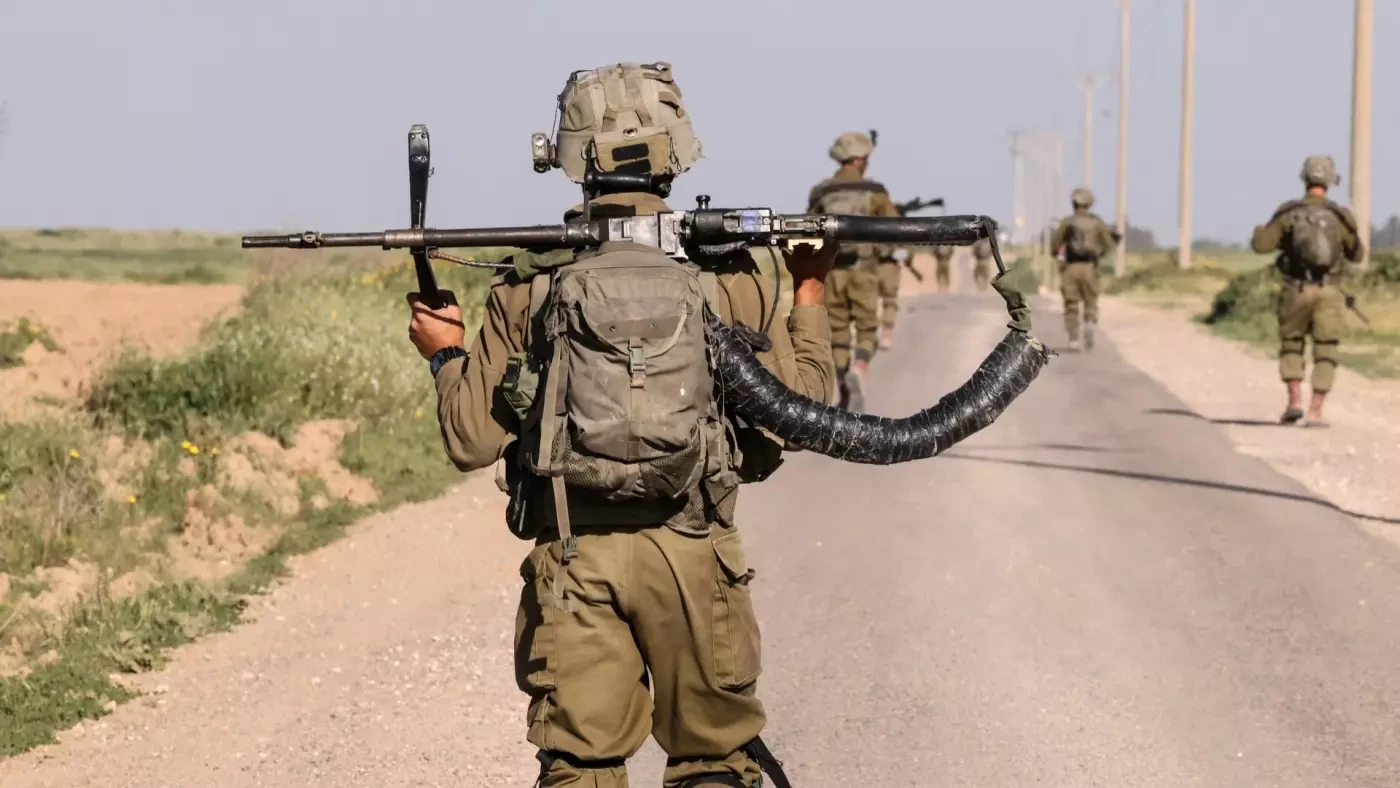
(311, 342)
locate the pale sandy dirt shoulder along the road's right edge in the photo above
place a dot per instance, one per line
(1235, 386)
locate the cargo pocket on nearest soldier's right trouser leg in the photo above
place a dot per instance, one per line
(737, 642)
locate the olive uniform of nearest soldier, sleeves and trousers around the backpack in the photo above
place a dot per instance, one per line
(664, 605)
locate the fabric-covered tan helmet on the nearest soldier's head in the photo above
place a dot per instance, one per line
(628, 118)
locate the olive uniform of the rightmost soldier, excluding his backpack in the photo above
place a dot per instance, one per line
(1311, 303)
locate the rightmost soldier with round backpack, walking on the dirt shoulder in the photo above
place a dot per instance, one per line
(1314, 237)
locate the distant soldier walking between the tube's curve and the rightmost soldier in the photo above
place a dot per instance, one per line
(1080, 241)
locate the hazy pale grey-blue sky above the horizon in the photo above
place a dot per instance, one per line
(295, 113)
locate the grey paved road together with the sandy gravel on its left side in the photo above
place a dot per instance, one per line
(1091, 593)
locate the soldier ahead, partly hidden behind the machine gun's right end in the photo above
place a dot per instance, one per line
(853, 290)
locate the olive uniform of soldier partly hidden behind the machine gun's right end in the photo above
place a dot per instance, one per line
(853, 290)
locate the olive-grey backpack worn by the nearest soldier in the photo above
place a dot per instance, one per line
(617, 393)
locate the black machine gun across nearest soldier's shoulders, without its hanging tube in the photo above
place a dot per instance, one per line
(684, 236)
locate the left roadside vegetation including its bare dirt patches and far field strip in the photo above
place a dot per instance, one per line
(143, 517)
